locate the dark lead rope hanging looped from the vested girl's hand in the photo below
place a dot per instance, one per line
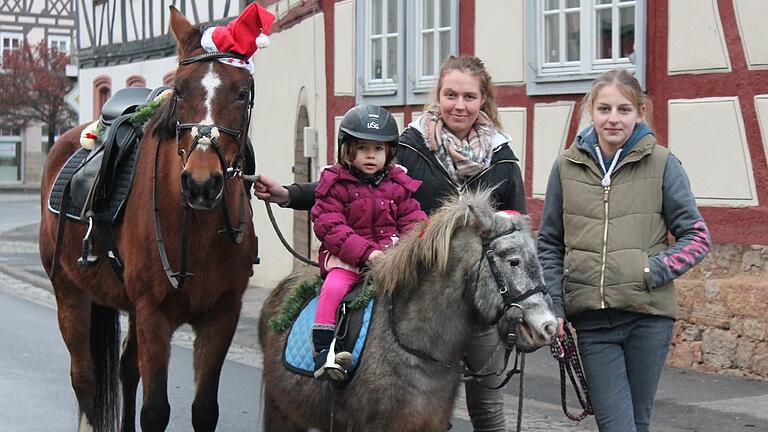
(567, 356)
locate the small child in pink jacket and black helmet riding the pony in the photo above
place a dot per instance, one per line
(362, 204)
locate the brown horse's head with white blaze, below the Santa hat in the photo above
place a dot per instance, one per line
(208, 115)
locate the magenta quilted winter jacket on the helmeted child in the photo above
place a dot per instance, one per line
(352, 219)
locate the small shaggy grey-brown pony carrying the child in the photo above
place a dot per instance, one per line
(439, 284)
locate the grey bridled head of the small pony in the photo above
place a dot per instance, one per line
(509, 282)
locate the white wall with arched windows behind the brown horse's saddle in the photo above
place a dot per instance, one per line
(152, 71)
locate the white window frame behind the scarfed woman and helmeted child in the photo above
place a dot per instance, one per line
(411, 88)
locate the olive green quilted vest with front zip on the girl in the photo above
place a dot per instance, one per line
(611, 232)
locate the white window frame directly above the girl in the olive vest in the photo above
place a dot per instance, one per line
(577, 77)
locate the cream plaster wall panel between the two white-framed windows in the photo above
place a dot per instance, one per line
(499, 39)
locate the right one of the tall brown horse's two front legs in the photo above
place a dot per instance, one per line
(214, 332)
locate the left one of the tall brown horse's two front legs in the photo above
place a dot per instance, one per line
(153, 337)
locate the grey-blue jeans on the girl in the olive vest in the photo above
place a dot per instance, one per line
(623, 365)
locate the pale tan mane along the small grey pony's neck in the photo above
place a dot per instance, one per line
(428, 245)
